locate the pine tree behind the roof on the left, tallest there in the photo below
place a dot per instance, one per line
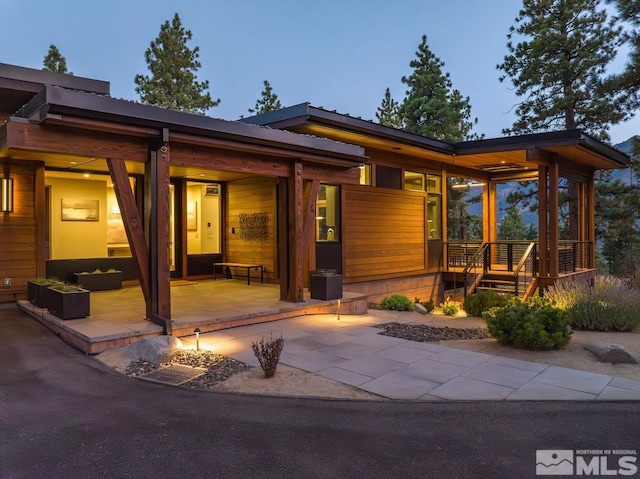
(173, 67)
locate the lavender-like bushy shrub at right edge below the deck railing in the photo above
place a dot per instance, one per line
(608, 305)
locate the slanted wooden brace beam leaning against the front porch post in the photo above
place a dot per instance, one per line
(132, 223)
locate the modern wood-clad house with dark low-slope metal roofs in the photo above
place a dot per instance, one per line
(98, 182)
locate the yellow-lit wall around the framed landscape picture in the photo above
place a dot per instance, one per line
(77, 239)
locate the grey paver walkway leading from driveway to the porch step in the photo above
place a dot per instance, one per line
(352, 351)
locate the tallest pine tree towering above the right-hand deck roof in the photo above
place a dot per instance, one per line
(559, 67)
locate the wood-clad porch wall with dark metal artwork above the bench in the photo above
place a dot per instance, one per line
(254, 195)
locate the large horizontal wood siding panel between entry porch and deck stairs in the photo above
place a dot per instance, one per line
(383, 233)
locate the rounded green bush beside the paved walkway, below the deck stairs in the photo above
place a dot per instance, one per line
(535, 324)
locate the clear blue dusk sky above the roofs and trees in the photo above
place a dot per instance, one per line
(337, 54)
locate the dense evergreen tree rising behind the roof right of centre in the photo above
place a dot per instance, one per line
(431, 106)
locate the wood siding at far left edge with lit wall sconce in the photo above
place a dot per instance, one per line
(18, 233)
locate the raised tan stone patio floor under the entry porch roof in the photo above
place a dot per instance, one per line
(118, 317)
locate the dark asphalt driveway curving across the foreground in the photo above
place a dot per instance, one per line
(64, 415)
